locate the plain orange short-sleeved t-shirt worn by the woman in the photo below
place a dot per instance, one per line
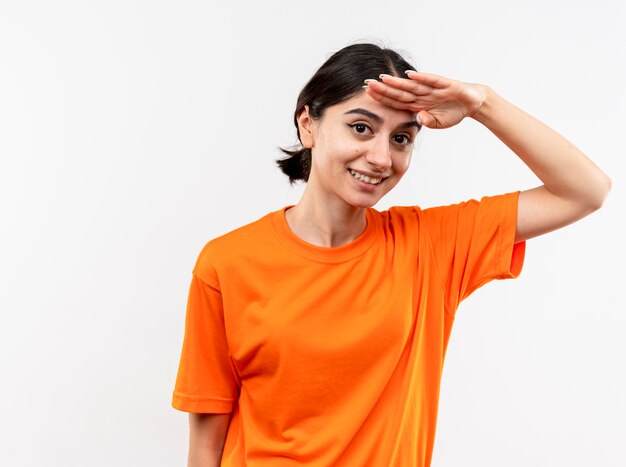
(334, 356)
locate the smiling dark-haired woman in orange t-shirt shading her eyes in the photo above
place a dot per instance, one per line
(316, 335)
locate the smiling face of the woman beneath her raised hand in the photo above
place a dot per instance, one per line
(360, 150)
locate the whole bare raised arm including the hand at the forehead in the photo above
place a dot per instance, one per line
(573, 186)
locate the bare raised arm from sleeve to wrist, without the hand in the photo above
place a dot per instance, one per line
(573, 186)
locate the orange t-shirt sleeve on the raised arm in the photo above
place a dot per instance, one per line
(473, 243)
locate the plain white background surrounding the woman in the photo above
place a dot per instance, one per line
(132, 132)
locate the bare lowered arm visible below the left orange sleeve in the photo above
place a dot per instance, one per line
(207, 433)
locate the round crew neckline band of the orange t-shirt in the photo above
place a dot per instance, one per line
(339, 254)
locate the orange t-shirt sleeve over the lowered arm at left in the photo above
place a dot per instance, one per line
(207, 381)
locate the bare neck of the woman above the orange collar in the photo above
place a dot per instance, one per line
(327, 223)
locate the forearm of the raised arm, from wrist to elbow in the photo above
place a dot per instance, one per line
(564, 170)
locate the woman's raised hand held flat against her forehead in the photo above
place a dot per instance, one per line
(439, 102)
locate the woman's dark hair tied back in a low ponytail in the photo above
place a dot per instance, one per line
(338, 79)
